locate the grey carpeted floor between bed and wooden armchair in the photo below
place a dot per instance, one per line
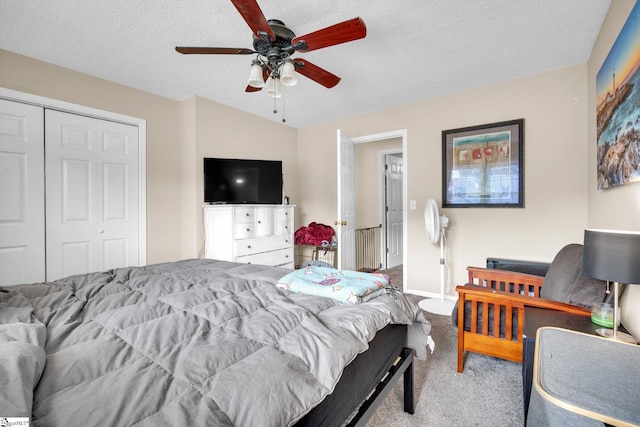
(488, 393)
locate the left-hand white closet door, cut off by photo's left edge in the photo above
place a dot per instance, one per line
(22, 245)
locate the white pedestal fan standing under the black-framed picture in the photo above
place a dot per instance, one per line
(435, 226)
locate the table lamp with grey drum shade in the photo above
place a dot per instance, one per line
(613, 256)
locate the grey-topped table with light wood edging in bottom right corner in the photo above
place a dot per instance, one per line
(584, 380)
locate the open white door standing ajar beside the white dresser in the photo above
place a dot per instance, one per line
(346, 227)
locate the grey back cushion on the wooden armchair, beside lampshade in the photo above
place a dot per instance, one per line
(563, 273)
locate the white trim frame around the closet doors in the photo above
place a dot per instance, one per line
(68, 107)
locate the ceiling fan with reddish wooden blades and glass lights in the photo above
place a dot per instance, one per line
(273, 45)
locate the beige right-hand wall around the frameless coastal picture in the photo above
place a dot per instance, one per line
(618, 207)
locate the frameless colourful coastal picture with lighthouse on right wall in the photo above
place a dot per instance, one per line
(618, 108)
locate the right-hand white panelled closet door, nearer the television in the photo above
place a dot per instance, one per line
(92, 194)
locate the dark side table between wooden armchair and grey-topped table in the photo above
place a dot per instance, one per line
(535, 318)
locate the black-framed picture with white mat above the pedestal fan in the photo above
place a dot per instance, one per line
(483, 166)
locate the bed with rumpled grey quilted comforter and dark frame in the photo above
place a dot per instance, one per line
(195, 342)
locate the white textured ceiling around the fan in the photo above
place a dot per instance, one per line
(414, 49)
